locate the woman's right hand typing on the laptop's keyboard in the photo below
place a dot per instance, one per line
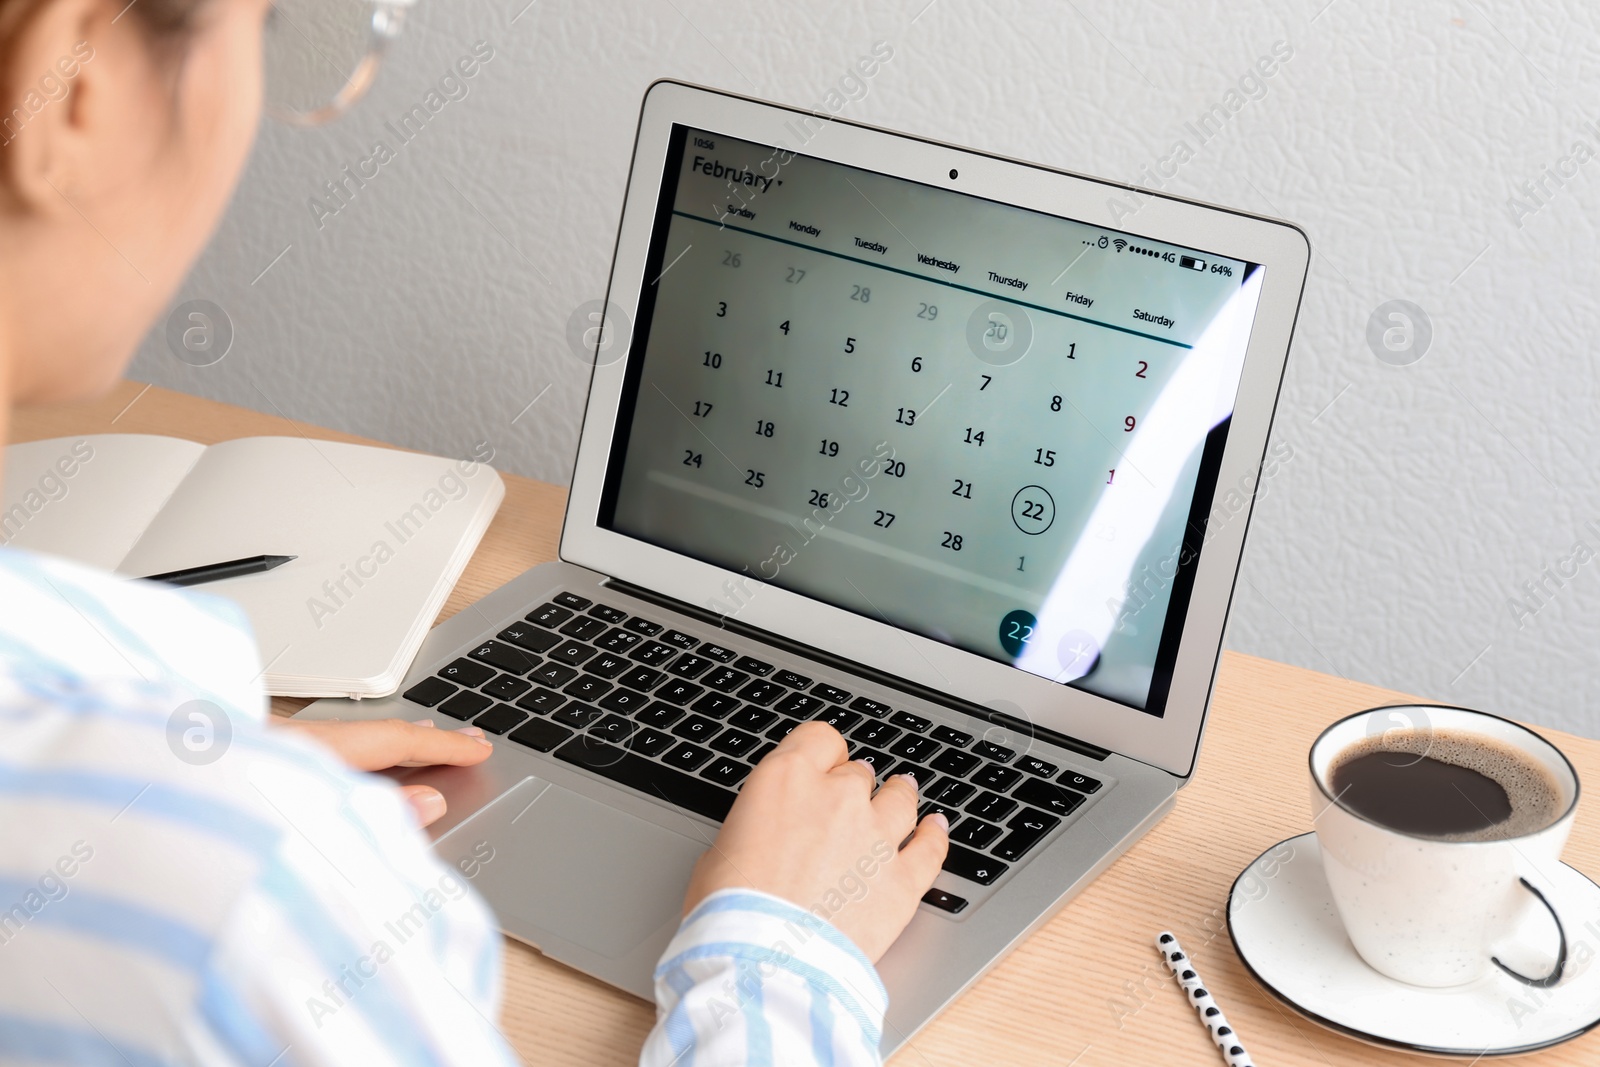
(809, 828)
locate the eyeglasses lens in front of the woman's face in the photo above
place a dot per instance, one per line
(321, 57)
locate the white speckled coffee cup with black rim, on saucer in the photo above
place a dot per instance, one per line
(1426, 911)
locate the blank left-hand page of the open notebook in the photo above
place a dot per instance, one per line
(89, 498)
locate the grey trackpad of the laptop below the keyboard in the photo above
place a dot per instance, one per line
(574, 868)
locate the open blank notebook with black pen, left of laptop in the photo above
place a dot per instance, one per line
(380, 535)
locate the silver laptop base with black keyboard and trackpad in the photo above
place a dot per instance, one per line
(593, 874)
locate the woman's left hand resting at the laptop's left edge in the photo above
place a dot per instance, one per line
(382, 745)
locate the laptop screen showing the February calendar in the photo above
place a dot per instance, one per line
(985, 425)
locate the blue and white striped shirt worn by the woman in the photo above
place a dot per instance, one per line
(183, 885)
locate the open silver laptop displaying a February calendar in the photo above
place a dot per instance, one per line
(948, 450)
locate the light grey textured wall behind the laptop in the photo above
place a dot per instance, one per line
(1420, 498)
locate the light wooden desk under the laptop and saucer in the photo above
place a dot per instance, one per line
(1089, 991)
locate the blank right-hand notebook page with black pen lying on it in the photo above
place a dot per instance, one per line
(375, 533)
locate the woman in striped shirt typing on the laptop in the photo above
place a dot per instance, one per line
(162, 908)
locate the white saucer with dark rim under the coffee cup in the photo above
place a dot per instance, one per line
(1289, 935)
